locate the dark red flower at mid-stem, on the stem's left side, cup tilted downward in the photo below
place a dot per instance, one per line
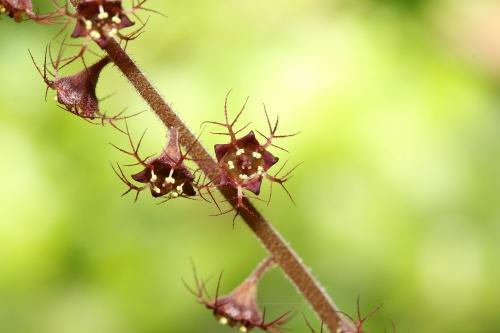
(164, 175)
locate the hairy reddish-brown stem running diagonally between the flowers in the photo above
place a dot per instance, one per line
(281, 252)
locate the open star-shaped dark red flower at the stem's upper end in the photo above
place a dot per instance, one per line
(100, 20)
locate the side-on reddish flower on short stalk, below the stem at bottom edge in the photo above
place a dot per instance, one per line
(239, 309)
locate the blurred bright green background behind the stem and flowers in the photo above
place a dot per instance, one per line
(398, 197)
